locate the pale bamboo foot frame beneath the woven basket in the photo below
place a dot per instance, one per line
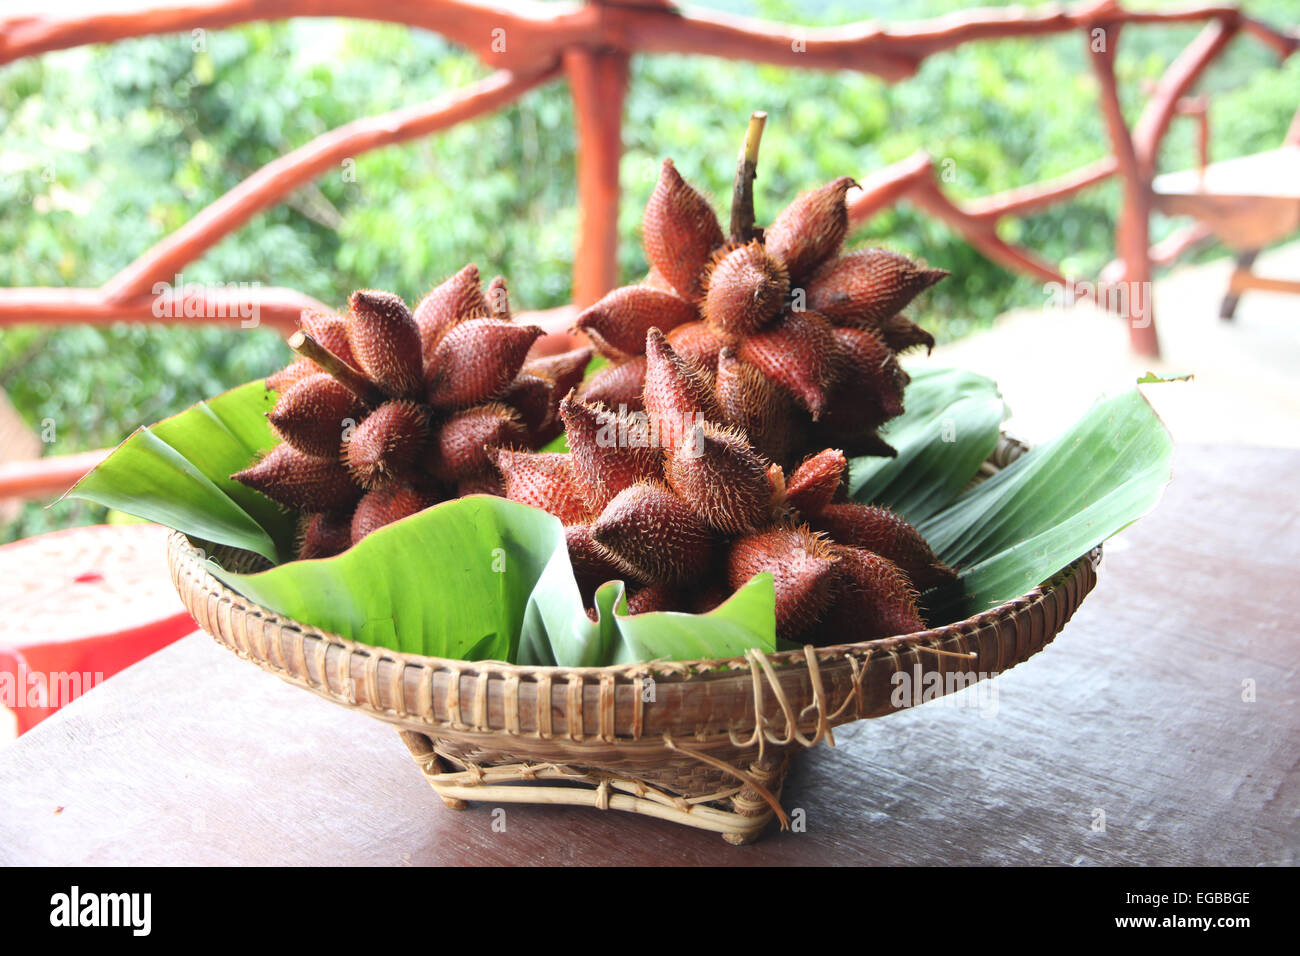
(740, 814)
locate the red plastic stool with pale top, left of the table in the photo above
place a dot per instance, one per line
(81, 605)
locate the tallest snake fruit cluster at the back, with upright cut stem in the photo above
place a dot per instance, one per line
(801, 340)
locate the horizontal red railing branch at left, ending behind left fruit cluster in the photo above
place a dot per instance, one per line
(252, 308)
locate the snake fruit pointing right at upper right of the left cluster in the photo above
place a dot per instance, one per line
(476, 361)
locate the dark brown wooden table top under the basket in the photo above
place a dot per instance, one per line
(1138, 712)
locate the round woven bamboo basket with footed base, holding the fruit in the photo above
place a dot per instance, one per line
(703, 743)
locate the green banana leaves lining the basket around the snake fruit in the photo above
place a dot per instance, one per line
(482, 578)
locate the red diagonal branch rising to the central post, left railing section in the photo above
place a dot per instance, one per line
(283, 176)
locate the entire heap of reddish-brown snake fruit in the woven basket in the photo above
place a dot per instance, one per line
(742, 377)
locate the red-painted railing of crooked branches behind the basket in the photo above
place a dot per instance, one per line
(530, 45)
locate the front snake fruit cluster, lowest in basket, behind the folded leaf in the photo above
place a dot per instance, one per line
(686, 511)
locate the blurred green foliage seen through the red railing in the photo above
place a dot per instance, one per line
(110, 149)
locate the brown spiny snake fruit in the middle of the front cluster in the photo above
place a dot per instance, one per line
(722, 478)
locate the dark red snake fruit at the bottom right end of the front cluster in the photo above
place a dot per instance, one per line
(874, 599)
